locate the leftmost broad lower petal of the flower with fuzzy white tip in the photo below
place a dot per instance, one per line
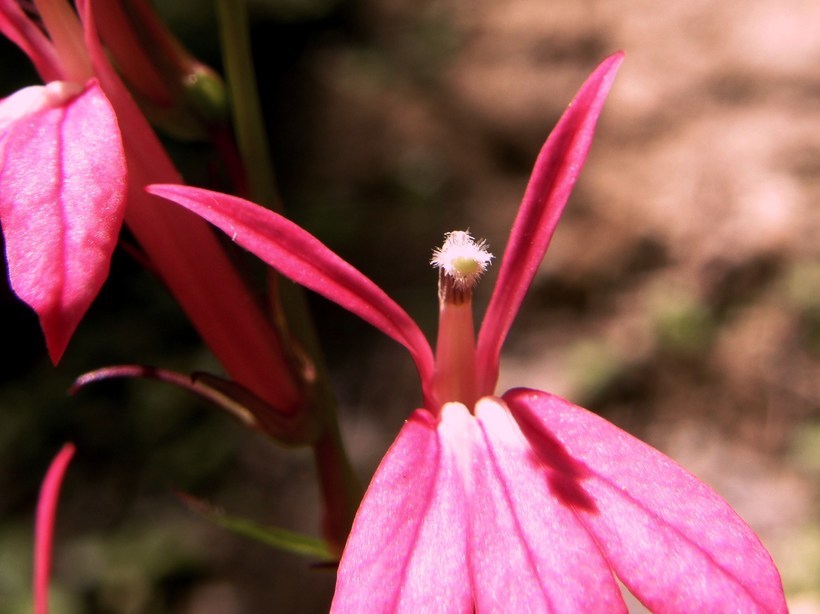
(407, 549)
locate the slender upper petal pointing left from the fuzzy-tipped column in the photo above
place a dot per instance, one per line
(298, 255)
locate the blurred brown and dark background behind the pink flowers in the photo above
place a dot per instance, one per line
(680, 297)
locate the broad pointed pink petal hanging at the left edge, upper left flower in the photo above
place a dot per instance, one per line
(62, 200)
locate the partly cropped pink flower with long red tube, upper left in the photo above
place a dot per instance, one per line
(75, 156)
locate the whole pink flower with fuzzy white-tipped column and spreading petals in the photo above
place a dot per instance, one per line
(519, 502)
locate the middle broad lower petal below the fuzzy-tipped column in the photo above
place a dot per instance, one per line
(528, 551)
